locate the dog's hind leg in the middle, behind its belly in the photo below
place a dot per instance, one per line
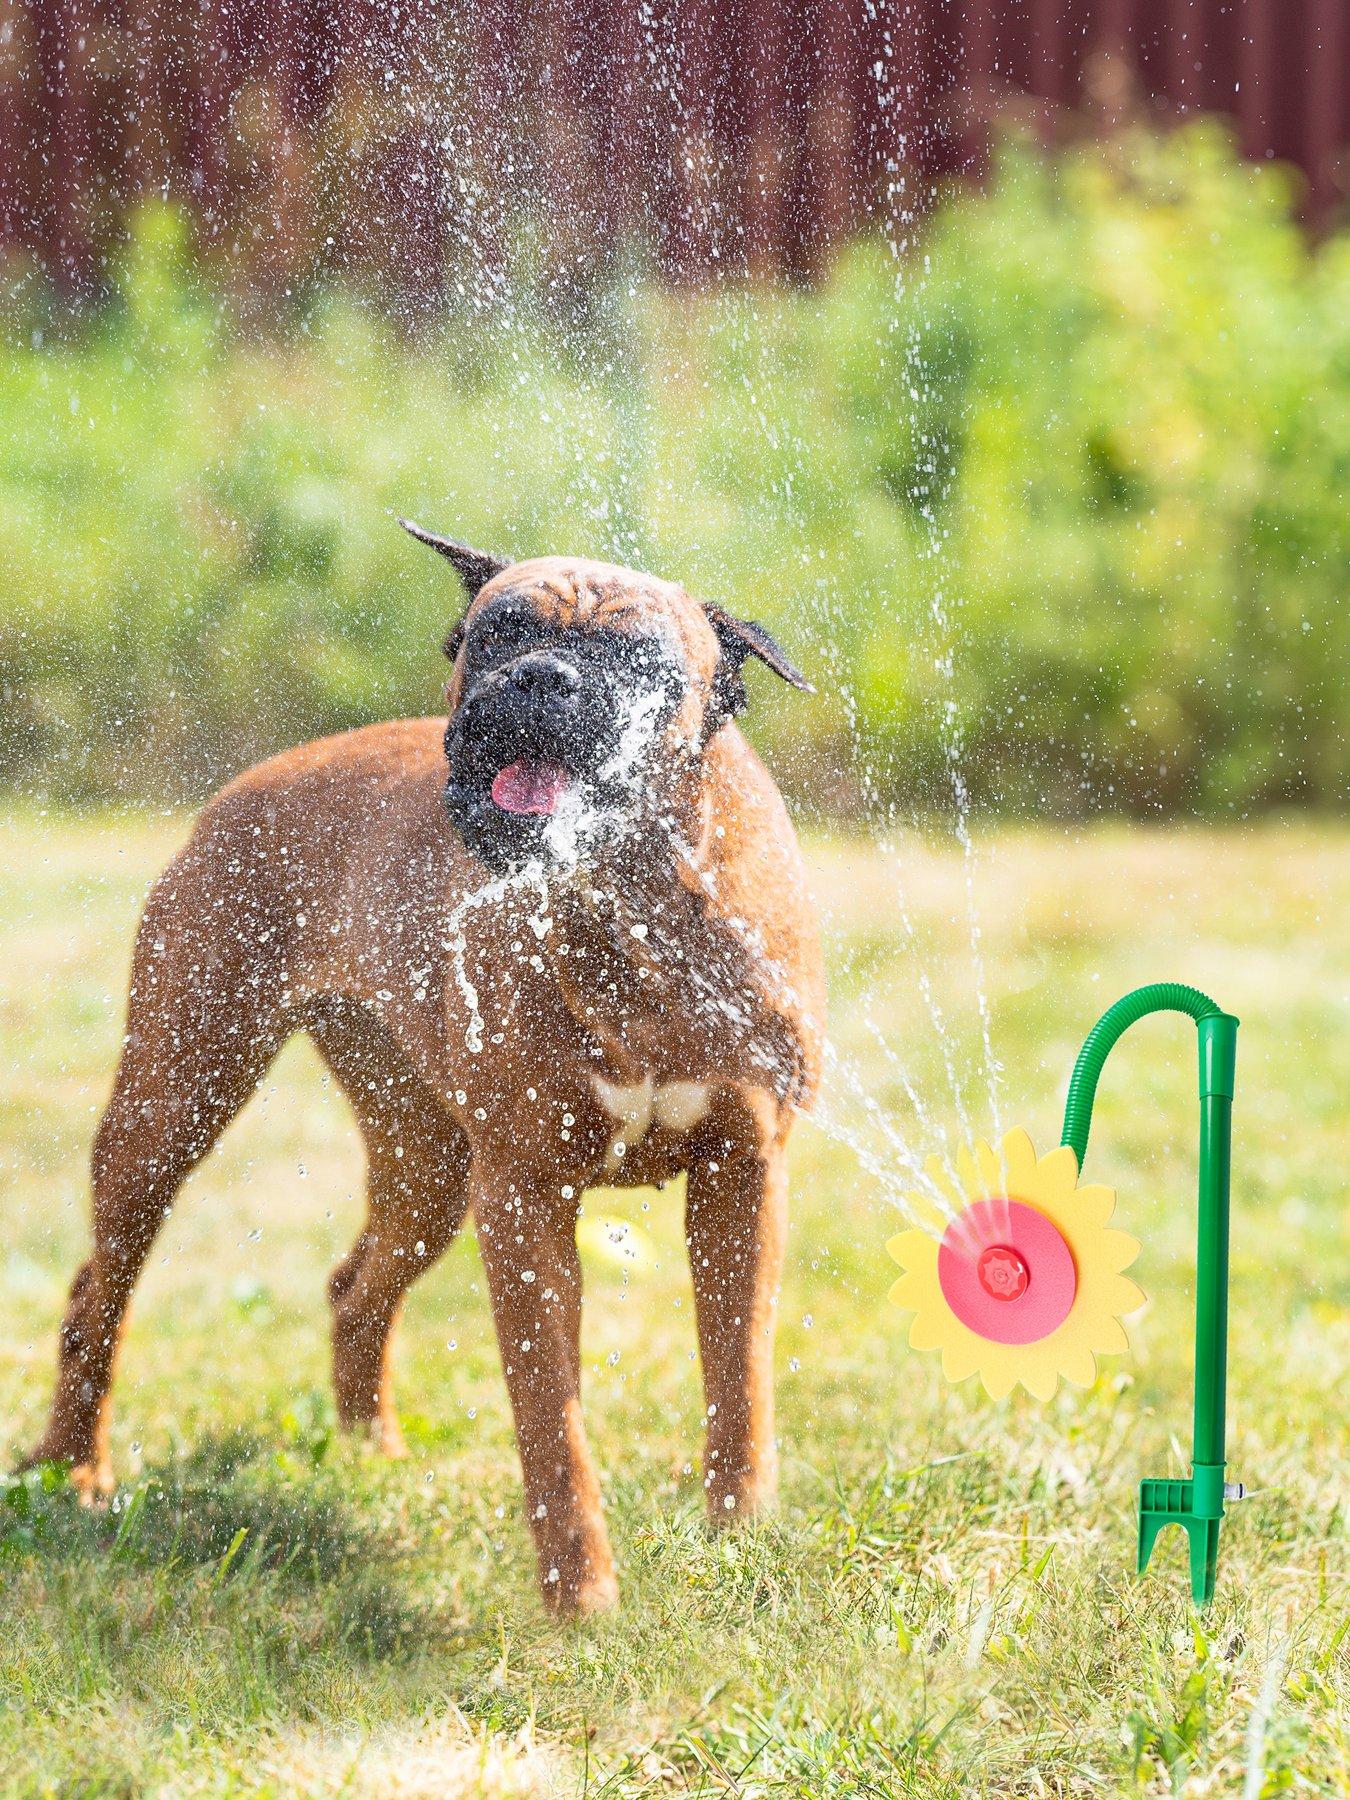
(417, 1192)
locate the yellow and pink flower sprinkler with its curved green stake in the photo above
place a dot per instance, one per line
(1025, 1281)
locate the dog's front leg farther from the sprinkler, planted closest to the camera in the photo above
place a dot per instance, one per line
(528, 1241)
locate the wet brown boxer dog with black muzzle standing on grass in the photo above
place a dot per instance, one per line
(600, 966)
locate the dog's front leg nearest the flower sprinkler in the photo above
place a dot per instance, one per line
(737, 1223)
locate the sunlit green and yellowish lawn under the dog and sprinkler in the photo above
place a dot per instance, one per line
(944, 1603)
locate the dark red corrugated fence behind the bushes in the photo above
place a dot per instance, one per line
(417, 141)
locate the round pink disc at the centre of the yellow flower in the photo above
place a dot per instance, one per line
(1007, 1272)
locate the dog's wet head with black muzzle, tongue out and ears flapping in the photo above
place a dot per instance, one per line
(582, 694)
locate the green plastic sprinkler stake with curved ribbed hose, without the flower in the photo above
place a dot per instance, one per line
(1198, 1506)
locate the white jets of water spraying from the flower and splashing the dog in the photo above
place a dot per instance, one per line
(616, 489)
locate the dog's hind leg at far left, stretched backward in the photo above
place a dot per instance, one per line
(204, 1021)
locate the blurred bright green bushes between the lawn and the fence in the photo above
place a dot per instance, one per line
(1052, 505)
